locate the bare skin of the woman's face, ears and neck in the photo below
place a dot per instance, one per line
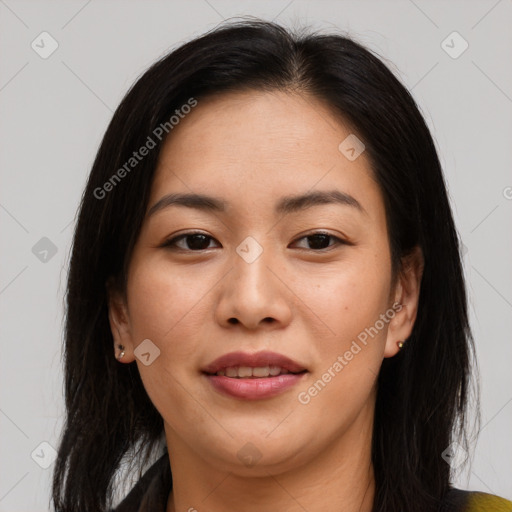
(251, 149)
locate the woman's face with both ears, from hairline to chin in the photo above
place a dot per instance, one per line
(294, 295)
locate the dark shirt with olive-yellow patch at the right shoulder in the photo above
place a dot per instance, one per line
(151, 493)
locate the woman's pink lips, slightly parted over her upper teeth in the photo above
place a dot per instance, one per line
(253, 388)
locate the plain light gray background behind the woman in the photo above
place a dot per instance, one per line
(54, 111)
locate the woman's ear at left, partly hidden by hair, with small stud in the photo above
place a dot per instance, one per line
(119, 323)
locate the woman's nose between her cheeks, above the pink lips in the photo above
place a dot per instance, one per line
(254, 294)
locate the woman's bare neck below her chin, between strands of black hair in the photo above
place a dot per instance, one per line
(339, 478)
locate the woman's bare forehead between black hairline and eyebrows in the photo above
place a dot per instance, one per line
(254, 145)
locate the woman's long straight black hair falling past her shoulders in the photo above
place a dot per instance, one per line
(423, 392)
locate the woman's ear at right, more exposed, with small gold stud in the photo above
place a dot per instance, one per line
(406, 295)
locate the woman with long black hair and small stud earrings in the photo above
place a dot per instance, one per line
(265, 285)
